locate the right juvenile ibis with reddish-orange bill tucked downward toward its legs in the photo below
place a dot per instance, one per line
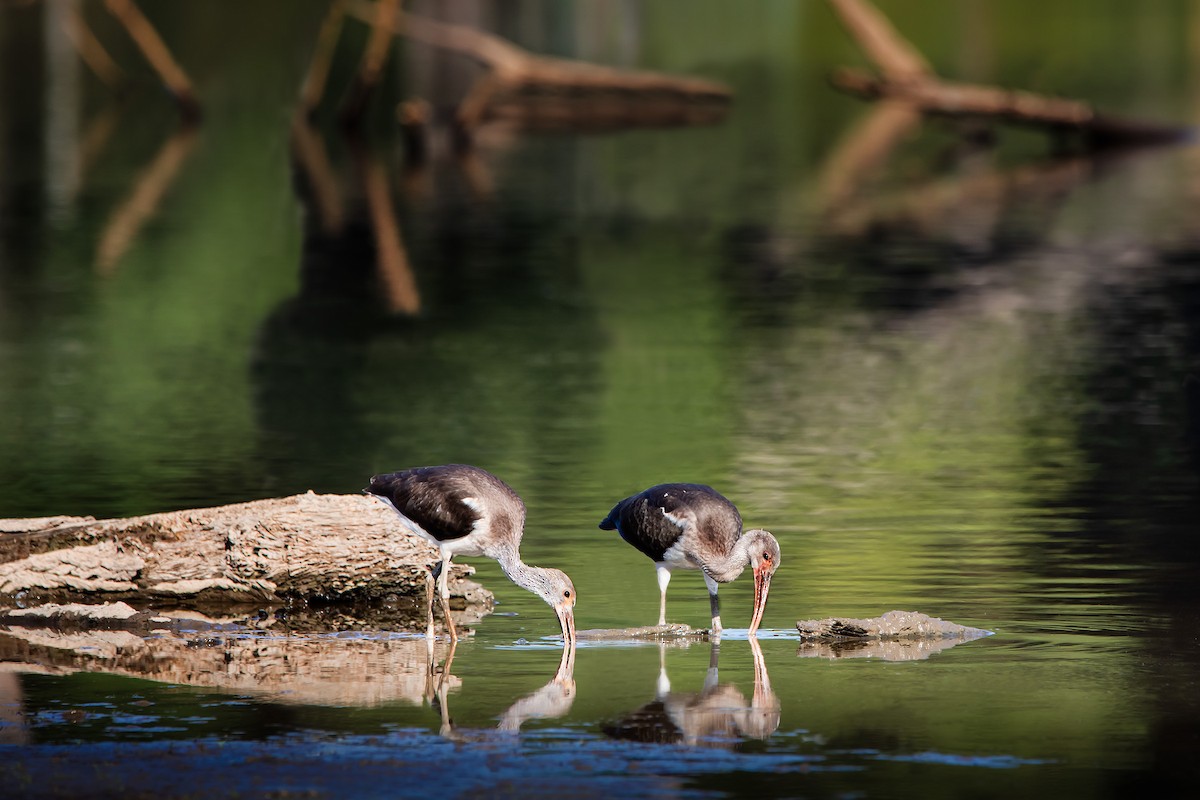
(692, 527)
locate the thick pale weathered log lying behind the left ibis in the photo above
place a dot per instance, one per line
(314, 548)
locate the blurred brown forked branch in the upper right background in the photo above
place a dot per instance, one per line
(907, 77)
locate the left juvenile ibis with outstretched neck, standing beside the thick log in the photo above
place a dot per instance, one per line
(469, 512)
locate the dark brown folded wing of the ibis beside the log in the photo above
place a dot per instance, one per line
(436, 500)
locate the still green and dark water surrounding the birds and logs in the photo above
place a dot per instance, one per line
(967, 386)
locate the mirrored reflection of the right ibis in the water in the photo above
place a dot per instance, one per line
(718, 715)
